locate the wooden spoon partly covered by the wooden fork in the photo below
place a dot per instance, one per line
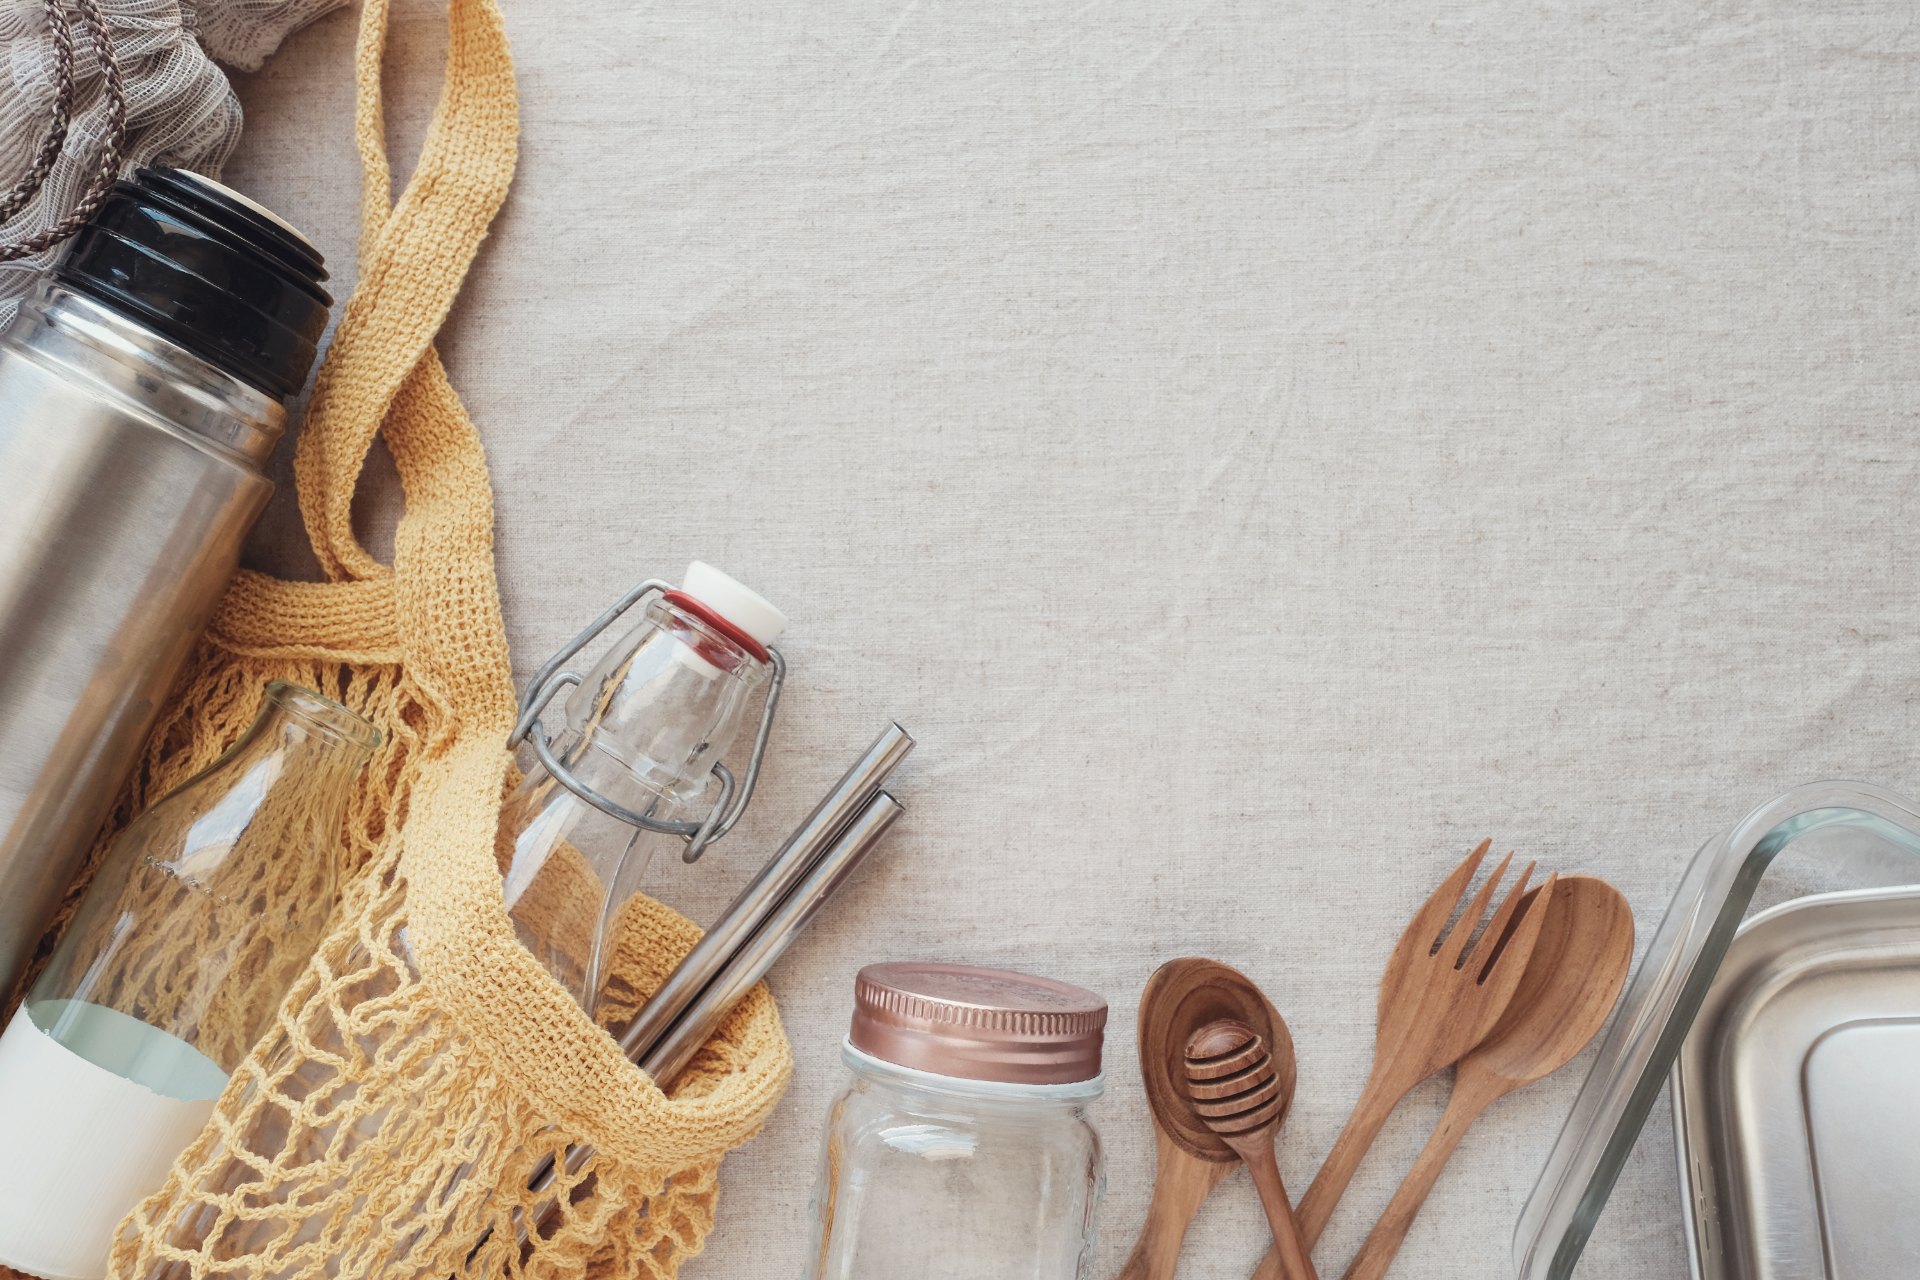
(1573, 978)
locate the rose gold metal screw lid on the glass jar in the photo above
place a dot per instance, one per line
(978, 1024)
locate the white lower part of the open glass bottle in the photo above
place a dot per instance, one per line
(80, 1145)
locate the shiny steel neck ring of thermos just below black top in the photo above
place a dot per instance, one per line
(145, 371)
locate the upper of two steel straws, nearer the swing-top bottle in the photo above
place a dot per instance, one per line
(763, 895)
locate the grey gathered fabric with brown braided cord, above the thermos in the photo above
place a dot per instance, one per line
(180, 105)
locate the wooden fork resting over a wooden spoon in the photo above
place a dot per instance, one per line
(1443, 993)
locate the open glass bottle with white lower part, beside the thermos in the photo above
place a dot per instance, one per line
(203, 914)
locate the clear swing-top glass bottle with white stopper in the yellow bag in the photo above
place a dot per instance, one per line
(644, 732)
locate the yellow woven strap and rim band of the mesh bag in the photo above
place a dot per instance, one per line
(383, 377)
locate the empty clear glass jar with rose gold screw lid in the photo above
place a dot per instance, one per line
(963, 1149)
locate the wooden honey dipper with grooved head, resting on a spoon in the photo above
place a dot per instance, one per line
(1236, 1089)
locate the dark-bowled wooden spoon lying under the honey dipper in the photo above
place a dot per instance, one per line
(1182, 999)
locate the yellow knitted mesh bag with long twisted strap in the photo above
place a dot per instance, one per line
(425, 1064)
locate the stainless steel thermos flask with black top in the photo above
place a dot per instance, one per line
(141, 392)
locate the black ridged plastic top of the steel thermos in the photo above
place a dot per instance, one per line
(208, 270)
